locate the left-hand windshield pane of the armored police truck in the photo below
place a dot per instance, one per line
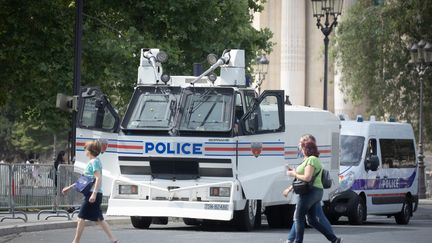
(154, 108)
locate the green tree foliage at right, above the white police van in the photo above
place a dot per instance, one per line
(372, 48)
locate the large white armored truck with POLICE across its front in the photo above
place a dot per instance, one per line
(202, 148)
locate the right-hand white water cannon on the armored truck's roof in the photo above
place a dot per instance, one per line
(232, 68)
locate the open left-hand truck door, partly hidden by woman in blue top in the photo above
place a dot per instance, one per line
(97, 119)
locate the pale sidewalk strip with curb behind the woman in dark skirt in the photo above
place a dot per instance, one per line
(16, 226)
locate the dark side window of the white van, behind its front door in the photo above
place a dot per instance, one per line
(397, 153)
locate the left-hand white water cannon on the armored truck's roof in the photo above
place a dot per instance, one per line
(150, 70)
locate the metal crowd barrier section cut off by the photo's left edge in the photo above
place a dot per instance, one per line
(7, 193)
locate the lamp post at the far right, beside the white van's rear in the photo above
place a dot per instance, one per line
(421, 59)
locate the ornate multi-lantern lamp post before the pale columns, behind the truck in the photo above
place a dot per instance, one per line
(329, 10)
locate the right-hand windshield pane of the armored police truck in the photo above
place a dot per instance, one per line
(207, 109)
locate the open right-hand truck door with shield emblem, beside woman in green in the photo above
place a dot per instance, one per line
(261, 144)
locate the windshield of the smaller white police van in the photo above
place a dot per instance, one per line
(351, 150)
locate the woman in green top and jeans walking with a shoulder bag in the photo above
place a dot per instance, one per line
(310, 203)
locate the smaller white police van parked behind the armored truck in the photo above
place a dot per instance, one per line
(379, 164)
